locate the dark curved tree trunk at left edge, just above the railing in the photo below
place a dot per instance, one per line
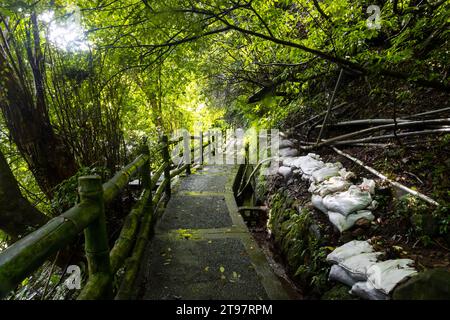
(17, 216)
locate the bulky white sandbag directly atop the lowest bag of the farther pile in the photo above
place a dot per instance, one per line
(347, 202)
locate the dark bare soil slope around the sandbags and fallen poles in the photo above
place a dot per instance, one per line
(420, 163)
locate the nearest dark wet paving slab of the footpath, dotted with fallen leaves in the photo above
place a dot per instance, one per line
(182, 270)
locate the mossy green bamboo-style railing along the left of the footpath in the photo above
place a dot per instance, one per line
(24, 256)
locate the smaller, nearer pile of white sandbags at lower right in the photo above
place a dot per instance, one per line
(357, 265)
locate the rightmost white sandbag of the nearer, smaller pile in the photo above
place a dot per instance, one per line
(385, 275)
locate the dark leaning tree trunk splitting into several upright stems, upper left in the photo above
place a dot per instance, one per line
(23, 103)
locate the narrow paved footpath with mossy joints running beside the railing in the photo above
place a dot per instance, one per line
(202, 248)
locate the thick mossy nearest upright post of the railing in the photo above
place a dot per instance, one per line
(96, 238)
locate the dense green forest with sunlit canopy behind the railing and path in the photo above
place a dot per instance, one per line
(82, 82)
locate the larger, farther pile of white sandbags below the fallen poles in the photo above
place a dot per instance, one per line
(332, 193)
